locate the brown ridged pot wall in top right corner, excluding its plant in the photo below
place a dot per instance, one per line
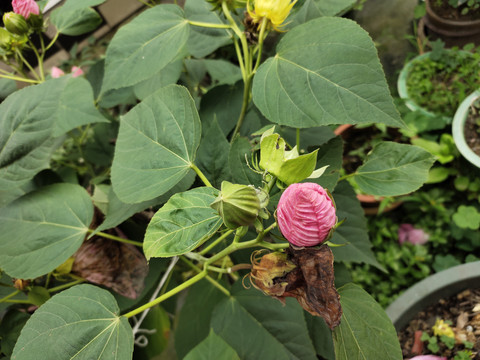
(452, 32)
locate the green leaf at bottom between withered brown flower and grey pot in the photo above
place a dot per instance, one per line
(365, 331)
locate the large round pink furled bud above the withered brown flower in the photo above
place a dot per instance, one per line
(305, 214)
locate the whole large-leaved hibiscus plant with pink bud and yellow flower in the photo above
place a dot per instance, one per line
(182, 195)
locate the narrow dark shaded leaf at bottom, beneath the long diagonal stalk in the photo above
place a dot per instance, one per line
(188, 333)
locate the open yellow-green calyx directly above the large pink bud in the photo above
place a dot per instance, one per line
(288, 166)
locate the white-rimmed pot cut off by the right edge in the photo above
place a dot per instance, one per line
(465, 129)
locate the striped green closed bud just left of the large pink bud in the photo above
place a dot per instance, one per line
(237, 204)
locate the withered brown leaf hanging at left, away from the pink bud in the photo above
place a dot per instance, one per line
(121, 267)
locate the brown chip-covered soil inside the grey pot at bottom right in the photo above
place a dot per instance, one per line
(461, 310)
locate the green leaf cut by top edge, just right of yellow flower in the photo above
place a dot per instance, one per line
(312, 9)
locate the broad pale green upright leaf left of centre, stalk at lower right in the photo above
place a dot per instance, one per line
(156, 145)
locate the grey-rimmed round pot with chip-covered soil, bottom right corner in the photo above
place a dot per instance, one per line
(415, 302)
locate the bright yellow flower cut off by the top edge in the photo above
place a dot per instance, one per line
(276, 11)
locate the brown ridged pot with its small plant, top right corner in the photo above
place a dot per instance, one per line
(456, 22)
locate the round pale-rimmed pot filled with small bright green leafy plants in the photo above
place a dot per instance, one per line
(435, 83)
